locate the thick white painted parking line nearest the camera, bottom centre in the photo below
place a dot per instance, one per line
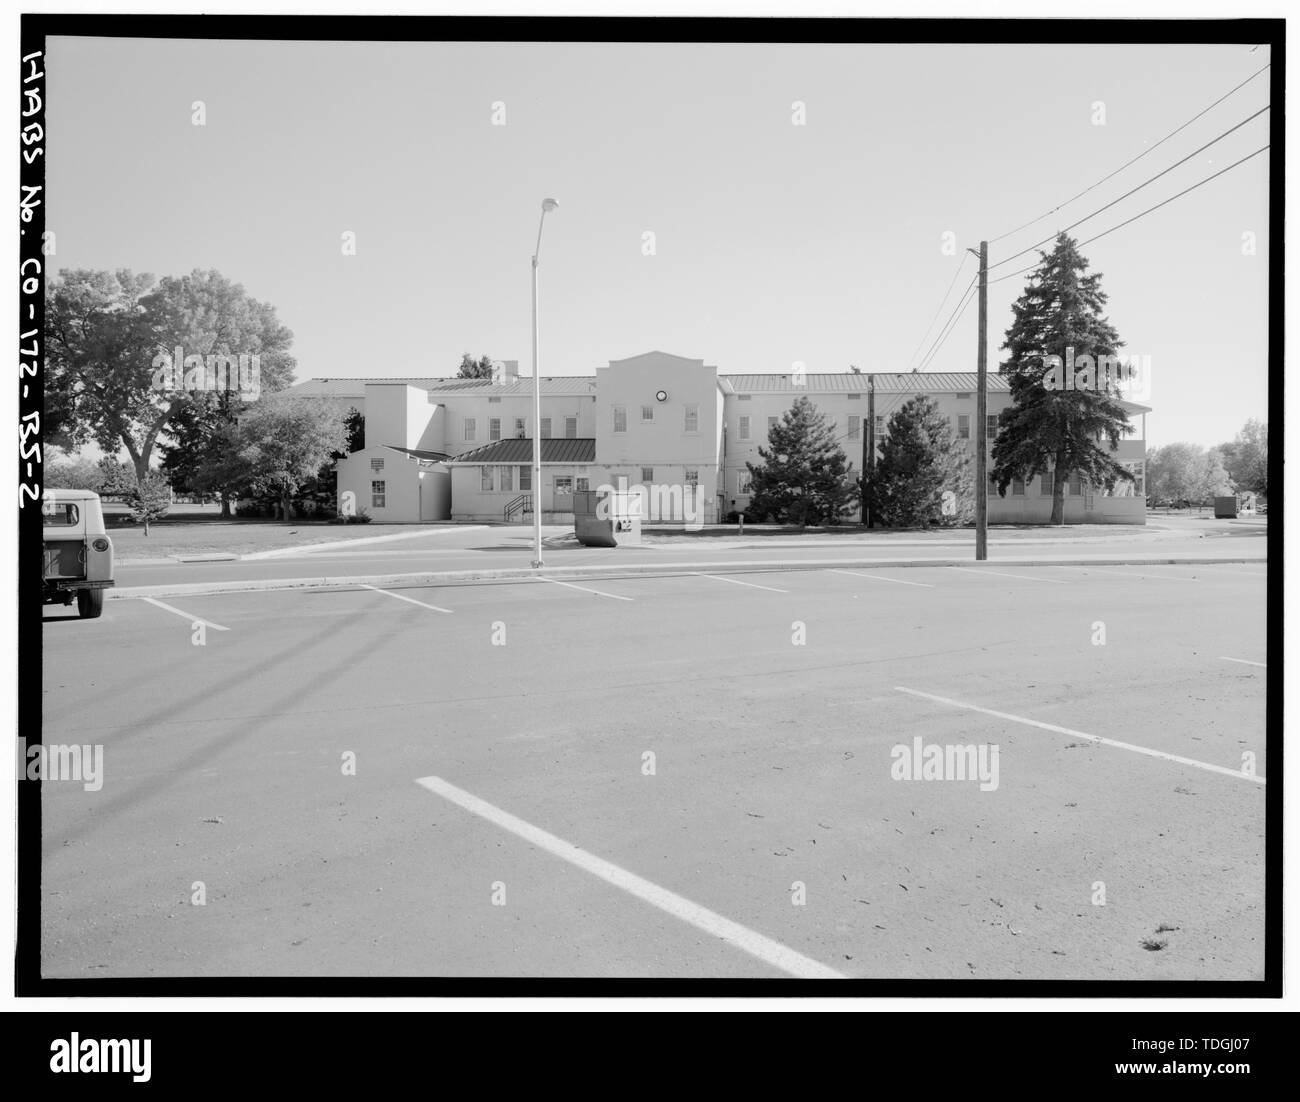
(678, 906)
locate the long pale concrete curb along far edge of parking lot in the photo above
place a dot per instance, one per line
(666, 570)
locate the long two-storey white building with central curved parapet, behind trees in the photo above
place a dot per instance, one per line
(450, 449)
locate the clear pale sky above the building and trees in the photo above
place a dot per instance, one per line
(775, 244)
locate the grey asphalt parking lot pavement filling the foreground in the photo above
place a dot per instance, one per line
(721, 750)
